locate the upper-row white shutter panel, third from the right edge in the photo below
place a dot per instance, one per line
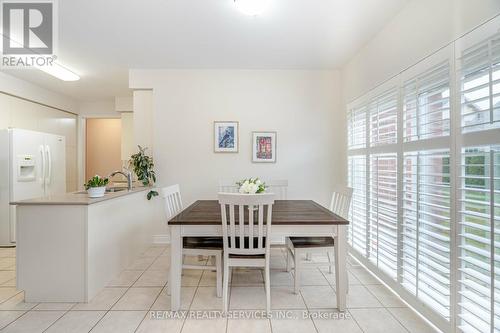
(383, 118)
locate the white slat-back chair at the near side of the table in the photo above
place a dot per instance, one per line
(245, 244)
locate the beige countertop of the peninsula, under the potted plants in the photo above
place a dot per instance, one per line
(78, 198)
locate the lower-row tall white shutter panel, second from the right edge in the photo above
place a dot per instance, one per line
(426, 228)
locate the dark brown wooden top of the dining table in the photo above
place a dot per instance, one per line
(285, 212)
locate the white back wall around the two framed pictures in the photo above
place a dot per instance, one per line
(302, 106)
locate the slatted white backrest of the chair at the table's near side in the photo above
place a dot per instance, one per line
(254, 206)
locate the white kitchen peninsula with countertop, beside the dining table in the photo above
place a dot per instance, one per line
(69, 246)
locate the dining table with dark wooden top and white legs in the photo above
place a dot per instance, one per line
(290, 218)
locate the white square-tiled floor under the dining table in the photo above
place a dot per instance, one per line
(126, 304)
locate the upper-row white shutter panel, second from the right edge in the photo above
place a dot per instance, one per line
(426, 104)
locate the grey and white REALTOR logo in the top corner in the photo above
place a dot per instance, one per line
(28, 31)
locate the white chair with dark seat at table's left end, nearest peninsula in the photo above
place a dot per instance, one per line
(194, 246)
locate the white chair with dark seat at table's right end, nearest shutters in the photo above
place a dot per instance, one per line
(300, 247)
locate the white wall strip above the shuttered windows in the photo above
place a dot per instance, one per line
(420, 29)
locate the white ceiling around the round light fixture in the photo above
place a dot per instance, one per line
(101, 40)
